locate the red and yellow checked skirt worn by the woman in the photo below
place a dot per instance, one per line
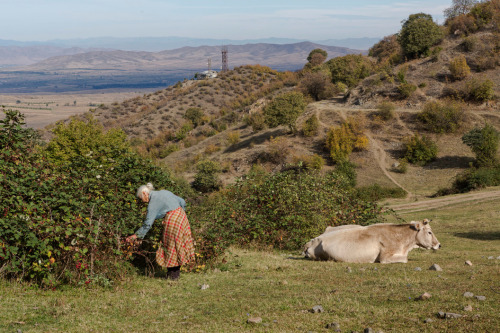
(177, 243)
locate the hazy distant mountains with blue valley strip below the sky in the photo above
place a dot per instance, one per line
(88, 69)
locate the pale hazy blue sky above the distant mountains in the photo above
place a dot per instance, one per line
(41, 20)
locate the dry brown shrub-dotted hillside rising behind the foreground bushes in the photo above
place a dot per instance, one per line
(158, 127)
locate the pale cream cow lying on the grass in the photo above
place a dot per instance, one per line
(384, 242)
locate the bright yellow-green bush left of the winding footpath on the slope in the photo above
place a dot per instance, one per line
(341, 141)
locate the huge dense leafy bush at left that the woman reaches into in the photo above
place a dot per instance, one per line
(65, 223)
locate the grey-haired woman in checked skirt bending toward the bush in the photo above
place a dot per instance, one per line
(177, 243)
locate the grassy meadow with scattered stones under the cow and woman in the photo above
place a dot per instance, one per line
(282, 288)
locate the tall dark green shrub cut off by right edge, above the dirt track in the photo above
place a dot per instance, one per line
(484, 143)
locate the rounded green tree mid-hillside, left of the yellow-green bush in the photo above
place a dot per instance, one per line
(285, 109)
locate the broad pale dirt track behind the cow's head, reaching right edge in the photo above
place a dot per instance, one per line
(445, 201)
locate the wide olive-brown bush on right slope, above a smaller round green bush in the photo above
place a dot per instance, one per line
(442, 117)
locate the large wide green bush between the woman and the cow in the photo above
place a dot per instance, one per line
(283, 210)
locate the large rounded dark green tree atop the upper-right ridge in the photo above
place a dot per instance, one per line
(418, 34)
